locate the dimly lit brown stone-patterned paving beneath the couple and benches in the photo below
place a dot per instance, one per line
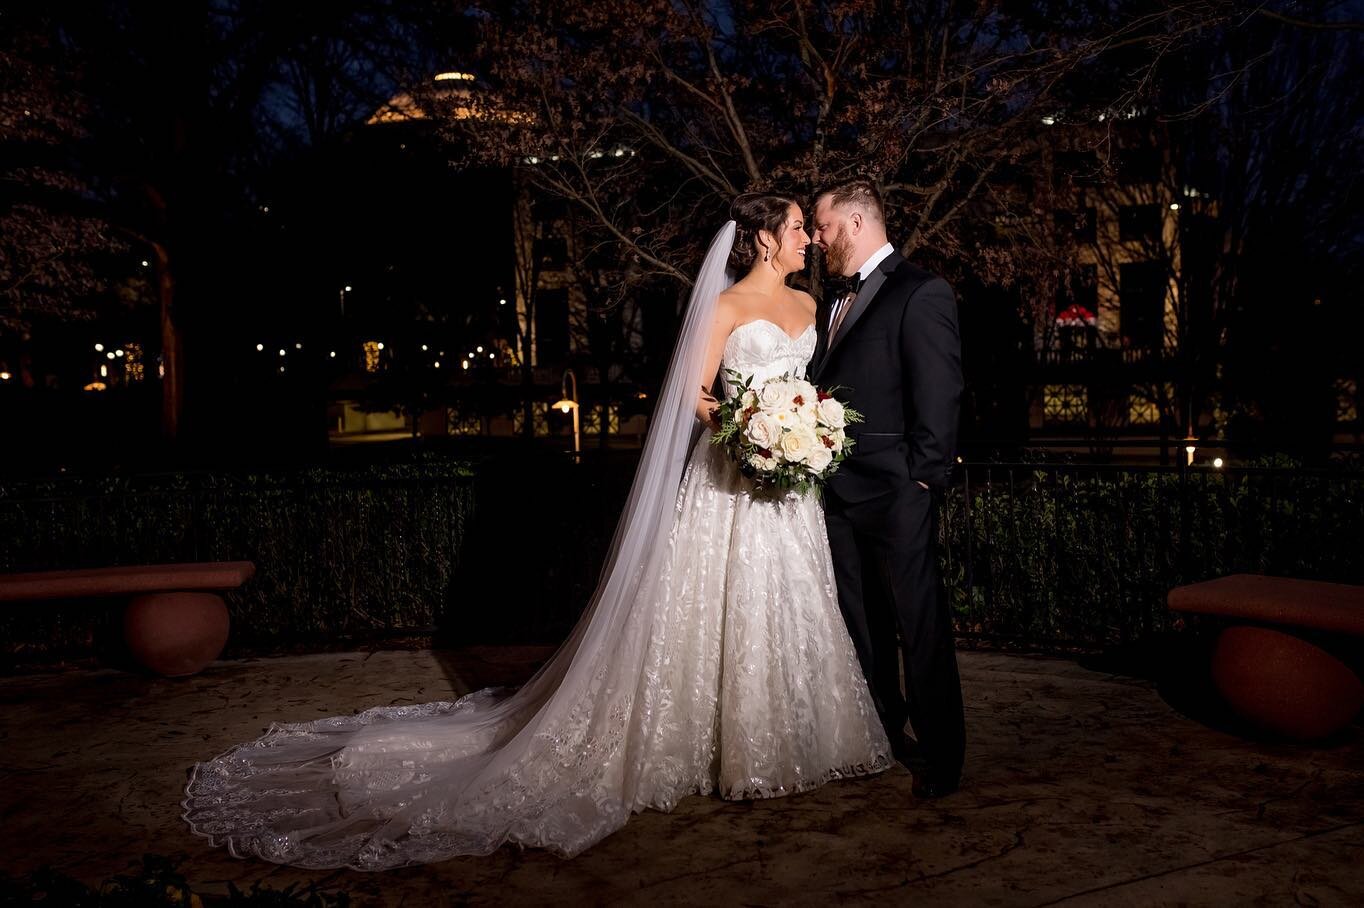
(1081, 789)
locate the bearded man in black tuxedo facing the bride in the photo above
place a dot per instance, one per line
(891, 342)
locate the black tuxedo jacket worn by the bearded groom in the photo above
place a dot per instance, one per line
(898, 361)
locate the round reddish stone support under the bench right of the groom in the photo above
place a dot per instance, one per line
(1284, 684)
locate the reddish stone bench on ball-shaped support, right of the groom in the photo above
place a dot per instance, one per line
(1269, 661)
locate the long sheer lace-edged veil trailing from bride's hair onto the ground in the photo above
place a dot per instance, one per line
(415, 785)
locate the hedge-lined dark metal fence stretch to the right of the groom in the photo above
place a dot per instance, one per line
(1076, 556)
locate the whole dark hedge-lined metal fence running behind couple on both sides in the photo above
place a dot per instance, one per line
(1044, 556)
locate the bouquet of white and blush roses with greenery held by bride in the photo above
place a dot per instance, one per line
(786, 434)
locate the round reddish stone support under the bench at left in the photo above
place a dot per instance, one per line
(177, 635)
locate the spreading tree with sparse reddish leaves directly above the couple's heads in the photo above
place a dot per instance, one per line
(650, 115)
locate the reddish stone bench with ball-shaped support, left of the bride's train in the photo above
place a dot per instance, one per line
(174, 624)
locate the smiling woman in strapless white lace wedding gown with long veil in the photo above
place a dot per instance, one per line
(711, 659)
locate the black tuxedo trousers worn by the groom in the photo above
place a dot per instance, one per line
(886, 565)
